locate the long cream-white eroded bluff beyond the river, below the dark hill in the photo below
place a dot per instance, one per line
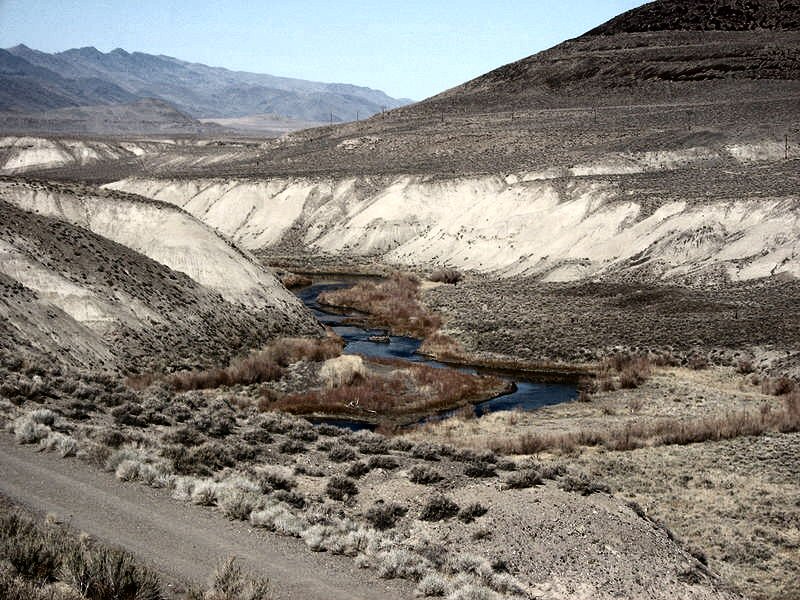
(560, 224)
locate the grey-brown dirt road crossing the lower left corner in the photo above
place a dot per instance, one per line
(182, 542)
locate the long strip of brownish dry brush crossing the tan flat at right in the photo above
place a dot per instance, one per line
(663, 432)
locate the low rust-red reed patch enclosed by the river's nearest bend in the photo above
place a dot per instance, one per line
(416, 389)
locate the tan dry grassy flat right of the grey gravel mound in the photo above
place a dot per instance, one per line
(720, 470)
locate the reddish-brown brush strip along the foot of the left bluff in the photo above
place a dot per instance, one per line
(258, 367)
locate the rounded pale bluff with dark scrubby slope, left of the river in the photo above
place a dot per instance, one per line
(102, 279)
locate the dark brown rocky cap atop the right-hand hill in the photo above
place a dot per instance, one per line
(705, 15)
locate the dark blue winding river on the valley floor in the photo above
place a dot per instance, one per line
(528, 392)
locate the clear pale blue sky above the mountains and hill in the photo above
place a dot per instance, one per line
(411, 48)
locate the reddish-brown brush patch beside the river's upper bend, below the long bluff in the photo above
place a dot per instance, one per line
(393, 303)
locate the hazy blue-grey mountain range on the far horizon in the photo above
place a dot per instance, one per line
(32, 81)
